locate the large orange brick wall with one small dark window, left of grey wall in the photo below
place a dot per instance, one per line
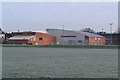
(46, 39)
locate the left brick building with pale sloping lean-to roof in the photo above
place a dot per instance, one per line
(32, 38)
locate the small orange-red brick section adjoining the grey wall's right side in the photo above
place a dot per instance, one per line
(96, 40)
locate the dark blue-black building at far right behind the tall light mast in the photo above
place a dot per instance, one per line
(111, 39)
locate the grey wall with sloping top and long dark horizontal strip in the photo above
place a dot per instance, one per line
(67, 40)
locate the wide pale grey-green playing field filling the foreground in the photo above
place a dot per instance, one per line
(59, 62)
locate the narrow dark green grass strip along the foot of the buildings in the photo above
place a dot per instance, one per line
(65, 46)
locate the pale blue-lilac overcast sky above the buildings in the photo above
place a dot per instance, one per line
(38, 16)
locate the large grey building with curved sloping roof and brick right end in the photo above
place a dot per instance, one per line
(69, 37)
